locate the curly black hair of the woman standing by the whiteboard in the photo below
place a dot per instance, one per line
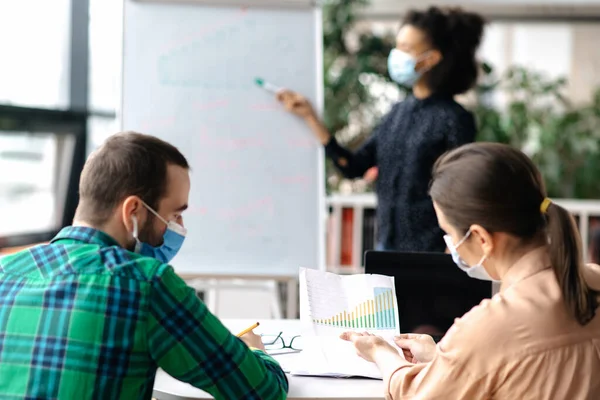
(457, 35)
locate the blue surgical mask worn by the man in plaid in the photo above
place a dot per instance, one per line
(172, 240)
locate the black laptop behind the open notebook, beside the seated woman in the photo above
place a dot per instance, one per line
(431, 290)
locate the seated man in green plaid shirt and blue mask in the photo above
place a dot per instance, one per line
(93, 314)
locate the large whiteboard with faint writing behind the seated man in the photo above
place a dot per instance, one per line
(257, 197)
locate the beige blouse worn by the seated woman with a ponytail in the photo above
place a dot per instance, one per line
(521, 344)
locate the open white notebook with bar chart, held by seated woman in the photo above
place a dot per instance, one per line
(331, 304)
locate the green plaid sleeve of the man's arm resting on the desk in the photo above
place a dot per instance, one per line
(192, 345)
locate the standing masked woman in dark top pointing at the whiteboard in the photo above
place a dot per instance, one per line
(435, 55)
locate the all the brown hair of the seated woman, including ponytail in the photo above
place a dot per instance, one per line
(499, 188)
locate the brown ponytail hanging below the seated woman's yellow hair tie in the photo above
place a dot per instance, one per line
(568, 264)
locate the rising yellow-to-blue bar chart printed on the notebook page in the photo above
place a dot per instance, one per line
(371, 314)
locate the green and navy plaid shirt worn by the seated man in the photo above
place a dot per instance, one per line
(83, 318)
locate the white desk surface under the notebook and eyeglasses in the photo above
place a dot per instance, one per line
(168, 388)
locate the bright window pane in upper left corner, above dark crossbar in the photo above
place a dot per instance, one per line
(35, 48)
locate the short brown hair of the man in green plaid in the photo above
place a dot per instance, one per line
(127, 164)
